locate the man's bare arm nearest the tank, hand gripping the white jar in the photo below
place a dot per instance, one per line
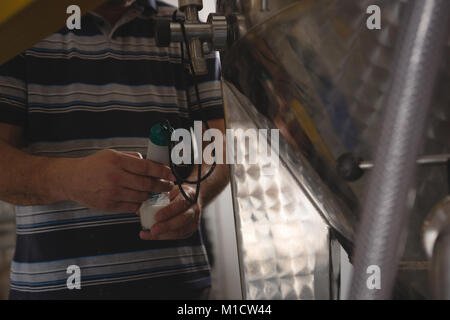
(180, 219)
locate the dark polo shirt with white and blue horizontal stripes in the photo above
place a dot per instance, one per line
(81, 91)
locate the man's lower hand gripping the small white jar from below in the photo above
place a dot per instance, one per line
(179, 220)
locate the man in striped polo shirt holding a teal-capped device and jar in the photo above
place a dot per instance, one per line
(75, 110)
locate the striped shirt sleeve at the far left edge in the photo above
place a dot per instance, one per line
(13, 92)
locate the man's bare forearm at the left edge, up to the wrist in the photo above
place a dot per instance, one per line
(28, 179)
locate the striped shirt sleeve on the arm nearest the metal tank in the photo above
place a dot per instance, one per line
(210, 88)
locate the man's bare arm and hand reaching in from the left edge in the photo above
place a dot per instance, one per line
(107, 180)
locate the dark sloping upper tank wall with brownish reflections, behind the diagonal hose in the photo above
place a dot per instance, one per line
(312, 69)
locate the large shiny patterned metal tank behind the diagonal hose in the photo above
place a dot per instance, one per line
(312, 69)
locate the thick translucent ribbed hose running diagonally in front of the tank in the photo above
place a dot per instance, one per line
(386, 207)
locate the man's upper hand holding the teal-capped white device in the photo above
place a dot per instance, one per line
(115, 181)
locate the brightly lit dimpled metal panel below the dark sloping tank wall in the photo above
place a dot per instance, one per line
(284, 245)
